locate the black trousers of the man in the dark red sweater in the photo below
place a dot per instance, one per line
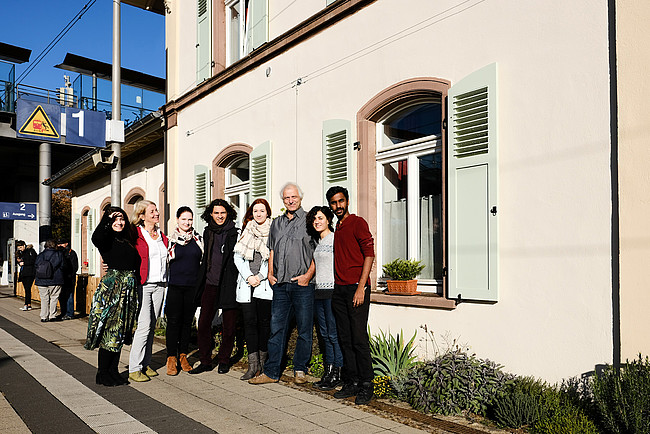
(352, 327)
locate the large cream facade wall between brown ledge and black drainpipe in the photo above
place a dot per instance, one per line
(553, 317)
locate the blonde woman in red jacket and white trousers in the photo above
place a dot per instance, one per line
(151, 244)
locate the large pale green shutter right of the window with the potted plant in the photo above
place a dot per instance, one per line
(472, 186)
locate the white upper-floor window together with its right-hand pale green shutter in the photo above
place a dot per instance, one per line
(246, 27)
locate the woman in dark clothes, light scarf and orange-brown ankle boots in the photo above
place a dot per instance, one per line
(185, 251)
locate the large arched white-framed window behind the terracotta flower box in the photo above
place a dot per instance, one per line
(409, 170)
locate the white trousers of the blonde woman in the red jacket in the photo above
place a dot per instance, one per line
(153, 295)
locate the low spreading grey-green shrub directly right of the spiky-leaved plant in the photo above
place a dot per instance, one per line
(455, 382)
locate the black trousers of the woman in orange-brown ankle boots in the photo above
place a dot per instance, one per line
(179, 311)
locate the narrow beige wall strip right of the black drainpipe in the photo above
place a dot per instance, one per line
(633, 63)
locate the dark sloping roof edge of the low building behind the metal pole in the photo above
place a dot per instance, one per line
(136, 136)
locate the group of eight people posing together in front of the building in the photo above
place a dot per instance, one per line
(271, 272)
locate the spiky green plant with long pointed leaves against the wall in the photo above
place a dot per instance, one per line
(390, 354)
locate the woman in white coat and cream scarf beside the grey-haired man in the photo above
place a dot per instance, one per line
(254, 293)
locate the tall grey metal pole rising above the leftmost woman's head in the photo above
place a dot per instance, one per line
(116, 172)
